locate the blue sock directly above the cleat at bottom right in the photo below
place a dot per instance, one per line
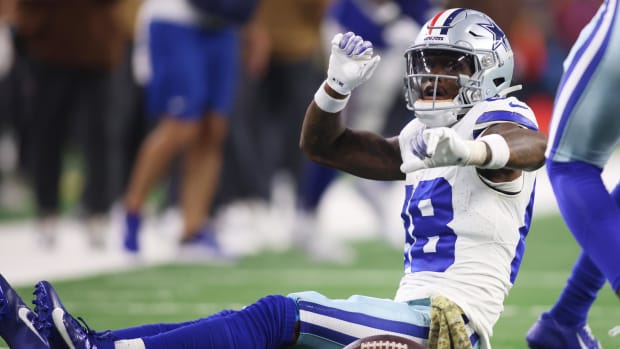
(580, 291)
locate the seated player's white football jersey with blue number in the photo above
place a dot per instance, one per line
(465, 236)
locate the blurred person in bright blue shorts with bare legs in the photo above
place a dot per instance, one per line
(189, 60)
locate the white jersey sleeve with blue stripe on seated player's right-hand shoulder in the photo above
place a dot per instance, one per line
(505, 110)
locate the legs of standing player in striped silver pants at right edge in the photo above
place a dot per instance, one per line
(584, 133)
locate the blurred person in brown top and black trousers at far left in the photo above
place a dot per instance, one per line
(69, 78)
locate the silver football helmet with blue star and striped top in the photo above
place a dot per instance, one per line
(471, 37)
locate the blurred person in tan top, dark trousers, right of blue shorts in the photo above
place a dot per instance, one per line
(283, 62)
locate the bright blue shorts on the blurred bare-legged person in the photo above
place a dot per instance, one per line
(193, 70)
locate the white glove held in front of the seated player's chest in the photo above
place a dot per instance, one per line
(443, 147)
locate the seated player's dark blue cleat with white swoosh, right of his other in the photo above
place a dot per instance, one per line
(62, 329)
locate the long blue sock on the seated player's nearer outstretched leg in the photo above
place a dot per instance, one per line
(268, 323)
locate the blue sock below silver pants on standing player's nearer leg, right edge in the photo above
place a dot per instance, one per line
(592, 214)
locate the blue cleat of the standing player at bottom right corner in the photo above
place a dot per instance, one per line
(546, 333)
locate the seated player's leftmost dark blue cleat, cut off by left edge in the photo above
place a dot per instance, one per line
(17, 325)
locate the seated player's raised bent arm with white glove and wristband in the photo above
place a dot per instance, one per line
(325, 139)
